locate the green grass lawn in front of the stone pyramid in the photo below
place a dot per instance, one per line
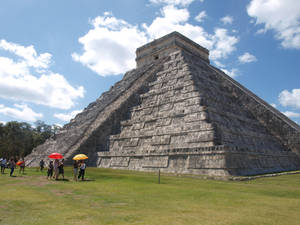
(126, 197)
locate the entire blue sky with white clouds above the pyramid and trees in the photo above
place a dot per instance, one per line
(58, 56)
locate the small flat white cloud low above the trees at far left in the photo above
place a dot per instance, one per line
(21, 111)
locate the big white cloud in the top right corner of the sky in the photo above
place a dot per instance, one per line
(282, 16)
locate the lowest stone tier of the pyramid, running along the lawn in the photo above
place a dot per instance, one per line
(213, 161)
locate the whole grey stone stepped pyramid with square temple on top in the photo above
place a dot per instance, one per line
(177, 113)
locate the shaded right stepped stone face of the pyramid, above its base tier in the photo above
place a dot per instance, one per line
(236, 124)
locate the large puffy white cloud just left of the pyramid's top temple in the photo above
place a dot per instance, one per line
(109, 47)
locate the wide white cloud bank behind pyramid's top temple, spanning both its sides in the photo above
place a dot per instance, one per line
(109, 47)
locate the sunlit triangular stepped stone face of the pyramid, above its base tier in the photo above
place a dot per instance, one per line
(169, 116)
